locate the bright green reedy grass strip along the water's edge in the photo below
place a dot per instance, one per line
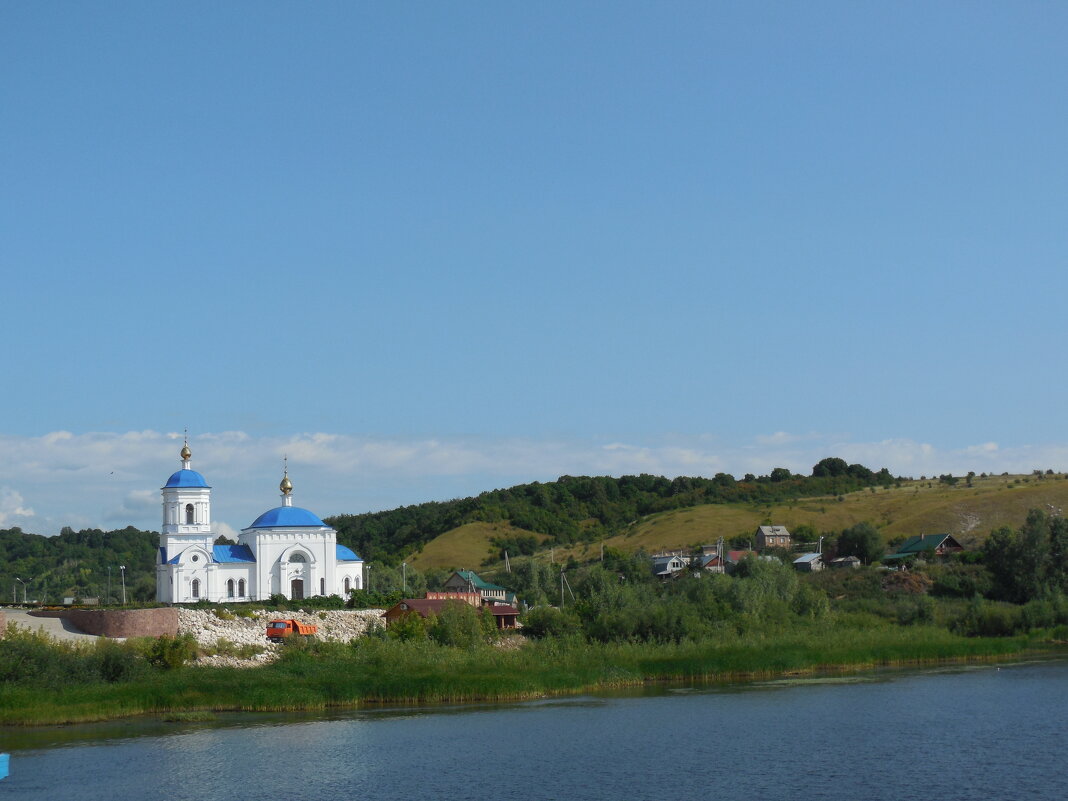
(372, 671)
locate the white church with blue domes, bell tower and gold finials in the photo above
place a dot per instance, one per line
(286, 552)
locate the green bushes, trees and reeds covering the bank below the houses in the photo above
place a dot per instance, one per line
(622, 627)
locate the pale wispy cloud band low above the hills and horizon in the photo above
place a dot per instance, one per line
(113, 479)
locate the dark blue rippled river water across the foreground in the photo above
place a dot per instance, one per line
(963, 733)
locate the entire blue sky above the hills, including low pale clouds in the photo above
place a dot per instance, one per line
(433, 249)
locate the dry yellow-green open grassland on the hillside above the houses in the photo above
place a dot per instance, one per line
(916, 508)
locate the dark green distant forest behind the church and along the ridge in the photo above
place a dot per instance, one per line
(570, 510)
